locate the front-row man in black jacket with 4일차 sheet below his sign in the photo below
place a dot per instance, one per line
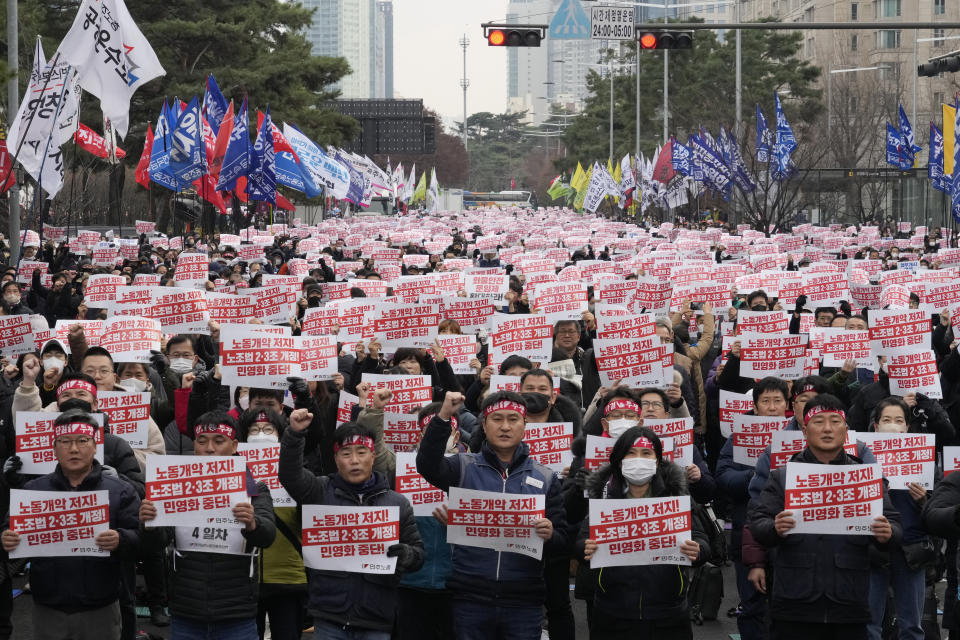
(214, 594)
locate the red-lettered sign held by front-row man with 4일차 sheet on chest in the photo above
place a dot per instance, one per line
(196, 490)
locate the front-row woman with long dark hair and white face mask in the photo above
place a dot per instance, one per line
(647, 602)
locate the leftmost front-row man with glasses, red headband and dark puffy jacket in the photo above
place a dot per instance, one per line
(78, 597)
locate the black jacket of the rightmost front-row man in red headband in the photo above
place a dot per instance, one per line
(816, 576)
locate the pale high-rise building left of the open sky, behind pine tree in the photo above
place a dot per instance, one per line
(362, 32)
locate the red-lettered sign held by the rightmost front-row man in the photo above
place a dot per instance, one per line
(833, 499)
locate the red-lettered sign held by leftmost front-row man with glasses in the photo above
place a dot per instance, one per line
(58, 523)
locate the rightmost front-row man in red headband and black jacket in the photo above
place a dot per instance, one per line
(821, 583)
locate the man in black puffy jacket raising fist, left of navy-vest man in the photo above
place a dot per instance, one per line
(340, 601)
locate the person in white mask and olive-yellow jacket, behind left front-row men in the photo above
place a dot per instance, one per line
(283, 582)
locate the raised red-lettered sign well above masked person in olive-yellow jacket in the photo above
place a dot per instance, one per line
(252, 358)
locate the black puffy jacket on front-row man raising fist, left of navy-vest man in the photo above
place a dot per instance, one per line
(366, 601)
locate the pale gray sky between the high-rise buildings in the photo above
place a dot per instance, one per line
(428, 60)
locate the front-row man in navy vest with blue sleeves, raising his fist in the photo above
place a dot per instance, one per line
(496, 595)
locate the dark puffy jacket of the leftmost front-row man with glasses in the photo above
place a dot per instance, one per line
(81, 583)
